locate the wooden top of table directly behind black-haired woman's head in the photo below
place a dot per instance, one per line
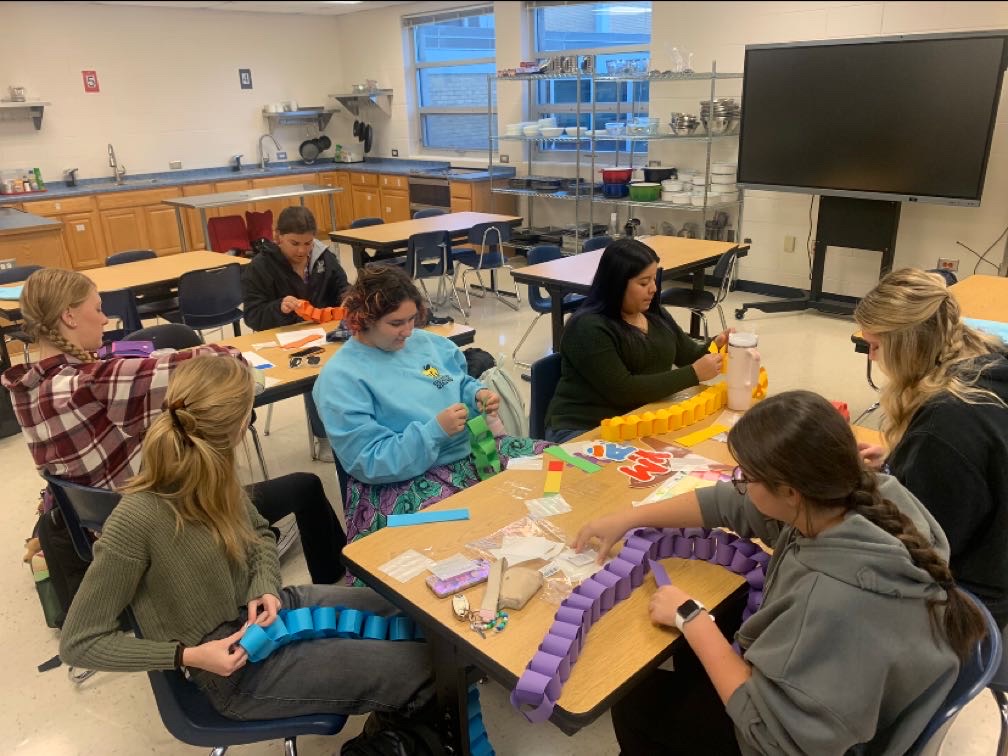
(577, 272)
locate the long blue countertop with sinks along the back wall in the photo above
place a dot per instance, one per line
(387, 166)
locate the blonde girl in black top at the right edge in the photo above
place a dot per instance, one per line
(946, 423)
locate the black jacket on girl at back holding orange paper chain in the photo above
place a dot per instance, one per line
(270, 278)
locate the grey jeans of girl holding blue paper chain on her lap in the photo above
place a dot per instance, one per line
(330, 676)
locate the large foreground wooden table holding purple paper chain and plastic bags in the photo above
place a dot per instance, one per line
(622, 648)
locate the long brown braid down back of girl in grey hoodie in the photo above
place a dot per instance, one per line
(963, 623)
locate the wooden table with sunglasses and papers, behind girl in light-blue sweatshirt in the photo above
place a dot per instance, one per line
(285, 382)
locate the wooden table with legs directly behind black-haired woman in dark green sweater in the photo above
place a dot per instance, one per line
(574, 275)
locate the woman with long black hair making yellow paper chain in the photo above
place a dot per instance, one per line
(621, 350)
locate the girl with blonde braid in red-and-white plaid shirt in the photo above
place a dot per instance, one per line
(84, 419)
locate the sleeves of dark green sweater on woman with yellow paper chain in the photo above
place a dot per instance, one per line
(595, 352)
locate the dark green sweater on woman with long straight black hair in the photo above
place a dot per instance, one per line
(607, 372)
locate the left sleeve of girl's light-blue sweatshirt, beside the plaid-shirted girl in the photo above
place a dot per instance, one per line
(370, 452)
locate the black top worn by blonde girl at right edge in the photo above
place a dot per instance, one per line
(954, 458)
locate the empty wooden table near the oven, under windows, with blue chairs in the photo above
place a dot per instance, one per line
(390, 239)
